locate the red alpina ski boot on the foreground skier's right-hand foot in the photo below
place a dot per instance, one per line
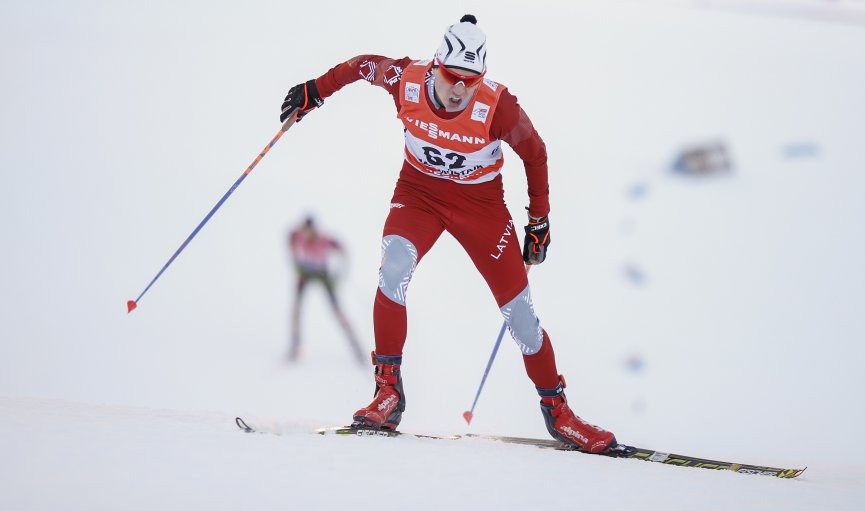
(565, 426)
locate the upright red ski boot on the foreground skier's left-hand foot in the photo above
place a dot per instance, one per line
(388, 402)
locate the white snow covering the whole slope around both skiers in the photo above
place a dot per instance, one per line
(717, 317)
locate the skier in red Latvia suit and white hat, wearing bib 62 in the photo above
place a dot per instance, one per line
(455, 120)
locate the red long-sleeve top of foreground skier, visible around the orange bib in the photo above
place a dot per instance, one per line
(509, 123)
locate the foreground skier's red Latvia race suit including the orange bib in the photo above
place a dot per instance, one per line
(450, 180)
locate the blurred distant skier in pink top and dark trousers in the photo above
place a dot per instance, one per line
(311, 252)
